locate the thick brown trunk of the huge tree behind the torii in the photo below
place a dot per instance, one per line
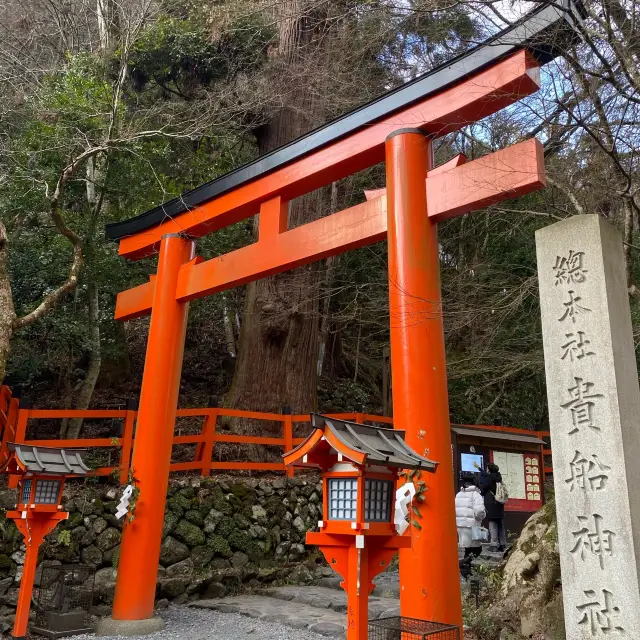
(278, 350)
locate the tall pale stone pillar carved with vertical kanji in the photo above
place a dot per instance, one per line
(594, 413)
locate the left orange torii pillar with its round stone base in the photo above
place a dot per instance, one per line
(142, 537)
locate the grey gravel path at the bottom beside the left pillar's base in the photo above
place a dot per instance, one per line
(184, 623)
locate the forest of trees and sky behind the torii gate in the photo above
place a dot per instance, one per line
(109, 107)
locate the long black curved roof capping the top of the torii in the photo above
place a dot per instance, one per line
(544, 32)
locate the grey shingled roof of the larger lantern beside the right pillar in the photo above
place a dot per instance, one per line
(360, 443)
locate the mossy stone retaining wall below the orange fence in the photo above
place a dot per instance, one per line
(219, 534)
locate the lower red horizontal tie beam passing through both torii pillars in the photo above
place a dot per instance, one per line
(516, 170)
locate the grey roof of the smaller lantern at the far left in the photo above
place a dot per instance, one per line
(46, 460)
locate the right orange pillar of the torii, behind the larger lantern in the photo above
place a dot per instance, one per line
(429, 574)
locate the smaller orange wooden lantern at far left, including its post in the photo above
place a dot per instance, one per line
(41, 472)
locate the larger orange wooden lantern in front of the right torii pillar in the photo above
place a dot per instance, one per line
(360, 468)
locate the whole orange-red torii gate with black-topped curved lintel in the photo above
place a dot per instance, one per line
(399, 131)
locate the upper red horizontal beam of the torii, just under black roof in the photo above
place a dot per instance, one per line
(490, 90)
